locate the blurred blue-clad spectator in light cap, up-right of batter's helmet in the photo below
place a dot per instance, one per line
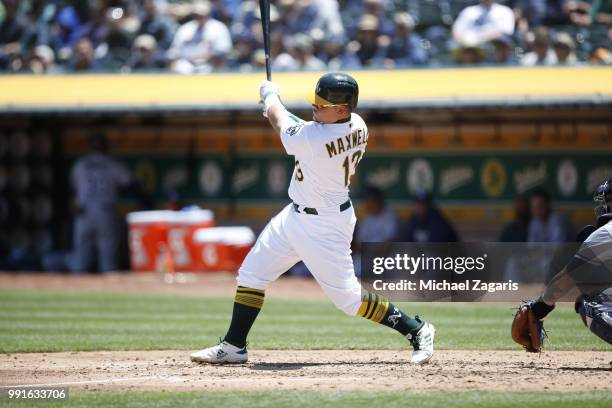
(405, 49)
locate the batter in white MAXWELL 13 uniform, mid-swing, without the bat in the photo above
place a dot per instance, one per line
(317, 227)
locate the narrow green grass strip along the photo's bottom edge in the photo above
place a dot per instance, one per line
(292, 399)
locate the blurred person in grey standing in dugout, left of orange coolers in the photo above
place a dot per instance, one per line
(97, 179)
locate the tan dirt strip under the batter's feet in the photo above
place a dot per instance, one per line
(313, 370)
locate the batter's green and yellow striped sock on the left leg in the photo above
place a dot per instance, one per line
(247, 304)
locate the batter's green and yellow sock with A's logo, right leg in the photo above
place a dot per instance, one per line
(380, 310)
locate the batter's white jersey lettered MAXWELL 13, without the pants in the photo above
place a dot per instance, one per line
(326, 156)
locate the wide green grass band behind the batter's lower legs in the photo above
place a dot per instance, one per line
(51, 321)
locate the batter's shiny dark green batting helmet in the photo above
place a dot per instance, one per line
(336, 89)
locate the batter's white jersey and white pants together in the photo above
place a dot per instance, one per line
(326, 156)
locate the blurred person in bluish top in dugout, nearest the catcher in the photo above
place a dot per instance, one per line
(547, 225)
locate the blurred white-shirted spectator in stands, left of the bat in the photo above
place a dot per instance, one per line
(202, 37)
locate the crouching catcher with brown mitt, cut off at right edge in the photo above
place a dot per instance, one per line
(590, 270)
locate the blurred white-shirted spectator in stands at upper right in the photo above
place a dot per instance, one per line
(483, 23)
